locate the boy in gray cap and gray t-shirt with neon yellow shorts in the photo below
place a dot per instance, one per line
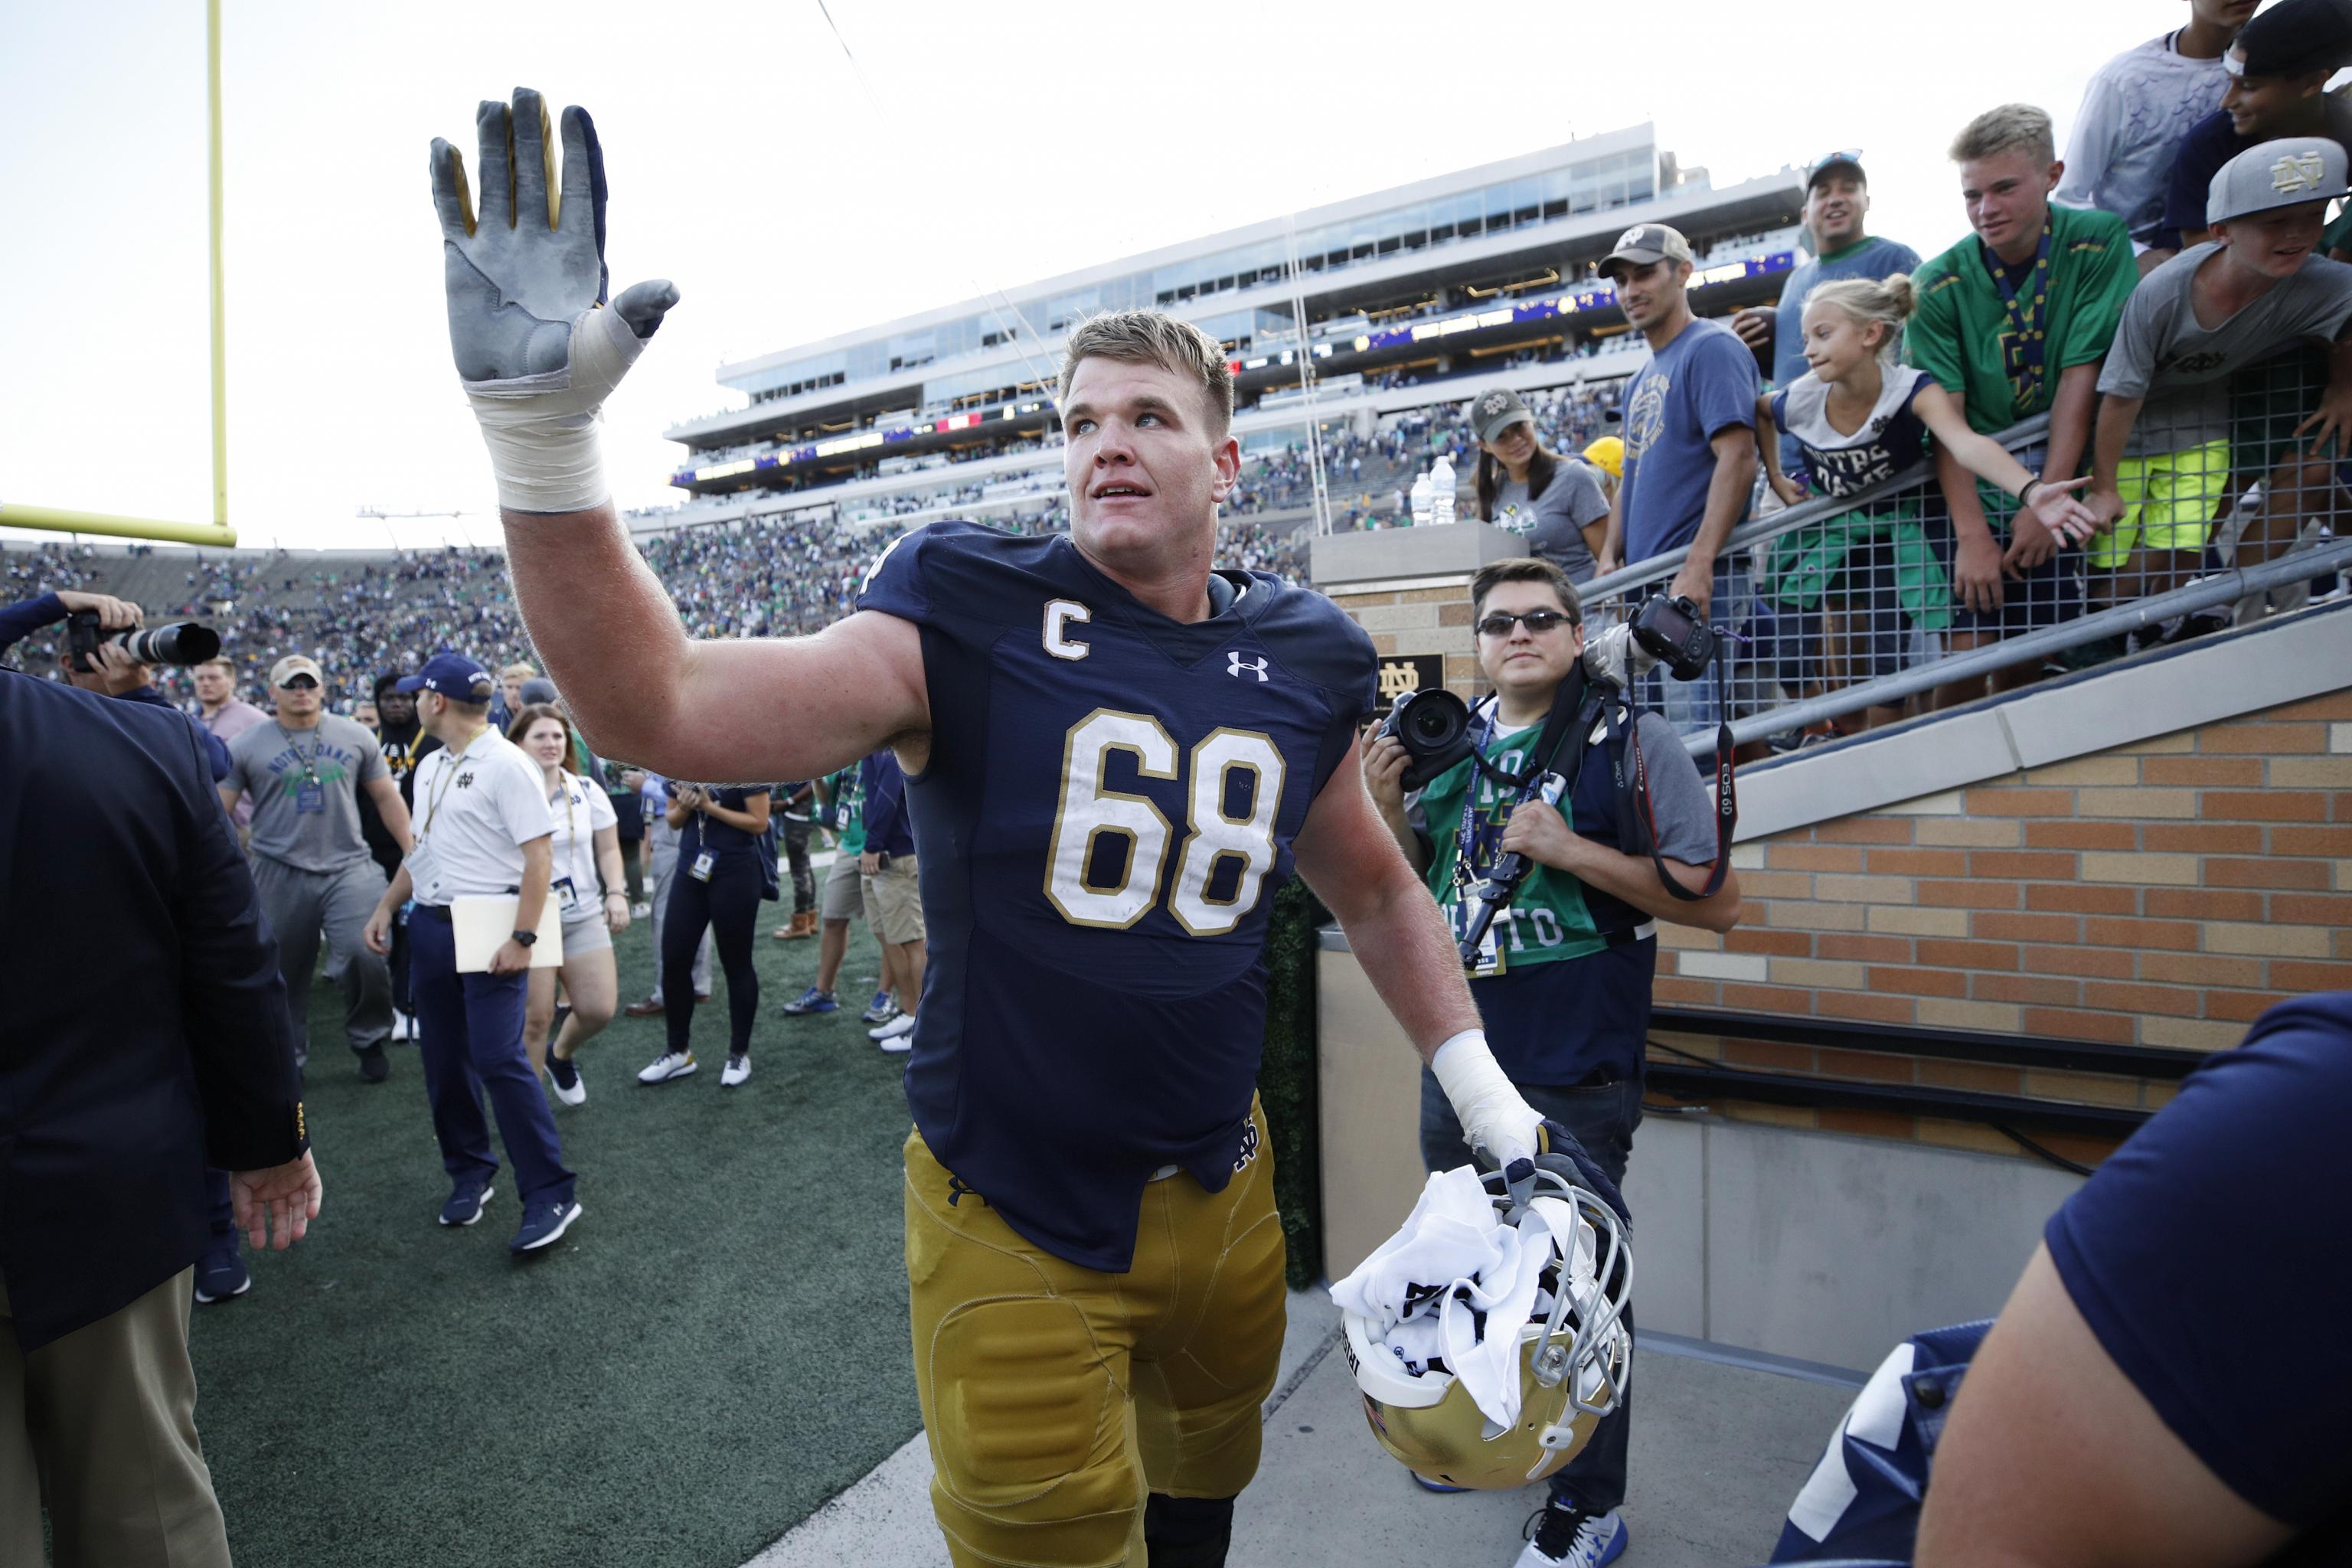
(2170, 453)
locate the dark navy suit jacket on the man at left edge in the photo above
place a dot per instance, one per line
(147, 1031)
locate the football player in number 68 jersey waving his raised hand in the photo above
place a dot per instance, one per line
(1114, 758)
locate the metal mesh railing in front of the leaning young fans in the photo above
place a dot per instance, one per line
(1845, 608)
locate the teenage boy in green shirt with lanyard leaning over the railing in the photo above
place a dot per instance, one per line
(2017, 321)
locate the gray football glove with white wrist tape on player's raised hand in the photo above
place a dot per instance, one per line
(535, 342)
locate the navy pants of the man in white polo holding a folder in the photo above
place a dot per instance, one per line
(469, 1038)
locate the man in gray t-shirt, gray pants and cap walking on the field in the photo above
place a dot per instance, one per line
(305, 772)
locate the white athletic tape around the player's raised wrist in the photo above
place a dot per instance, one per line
(542, 431)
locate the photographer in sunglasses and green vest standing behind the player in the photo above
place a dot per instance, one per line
(1563, 979)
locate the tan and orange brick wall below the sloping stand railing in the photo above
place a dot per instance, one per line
(2160, 894)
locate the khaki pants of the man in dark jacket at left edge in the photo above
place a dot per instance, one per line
(102, 1428)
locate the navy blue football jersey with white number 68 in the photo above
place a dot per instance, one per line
(1102, 829)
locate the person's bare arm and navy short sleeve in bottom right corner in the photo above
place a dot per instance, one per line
(2170, 1379)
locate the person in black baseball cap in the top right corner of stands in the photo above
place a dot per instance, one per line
(2280, 69)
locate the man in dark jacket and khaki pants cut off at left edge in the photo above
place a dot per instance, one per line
(145, 1038)
